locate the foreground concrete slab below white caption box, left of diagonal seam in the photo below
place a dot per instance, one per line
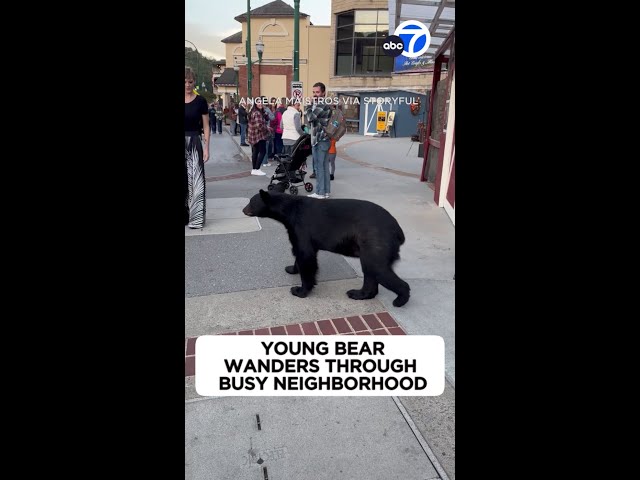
(301, 438)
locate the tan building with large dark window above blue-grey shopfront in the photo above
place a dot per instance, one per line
(363, 72)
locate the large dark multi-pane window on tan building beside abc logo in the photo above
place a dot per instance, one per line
(359, 36)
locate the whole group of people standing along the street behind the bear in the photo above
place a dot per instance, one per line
(269, 129)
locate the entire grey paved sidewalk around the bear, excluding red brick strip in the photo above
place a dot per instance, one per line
(235, 278)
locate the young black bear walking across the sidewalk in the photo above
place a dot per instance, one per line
(355, 228)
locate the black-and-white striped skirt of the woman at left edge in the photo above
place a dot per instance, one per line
(195, 200)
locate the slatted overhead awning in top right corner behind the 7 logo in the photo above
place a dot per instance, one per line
(438, 15)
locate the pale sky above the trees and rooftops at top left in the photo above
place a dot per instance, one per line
(206, 22)
